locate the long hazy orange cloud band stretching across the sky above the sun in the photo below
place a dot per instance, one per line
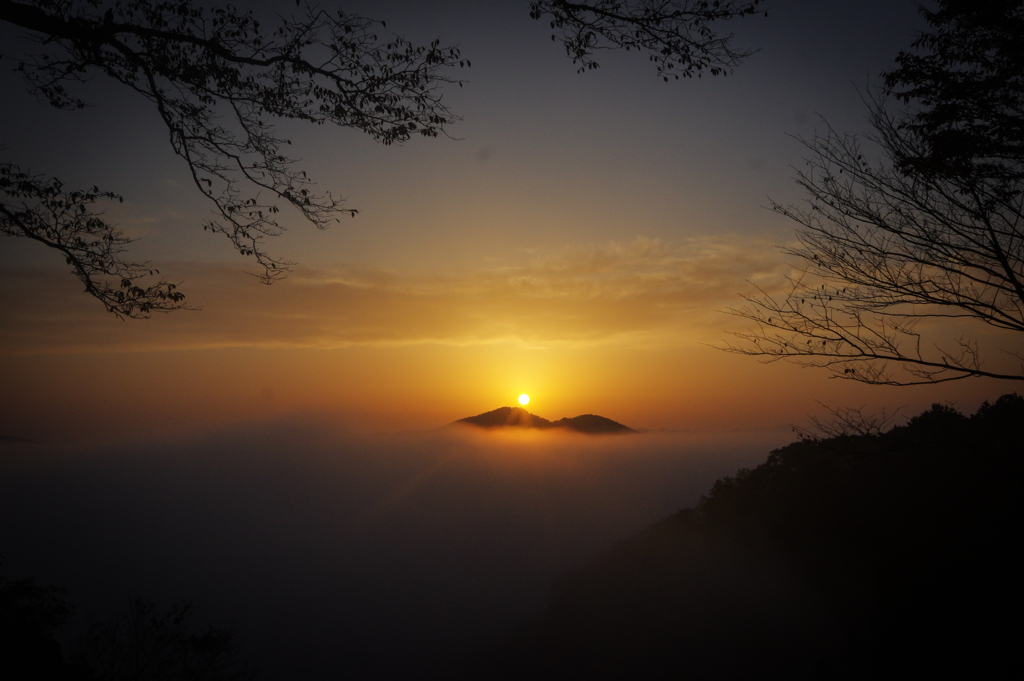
(641, 292)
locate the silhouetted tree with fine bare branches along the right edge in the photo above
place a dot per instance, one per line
(928, 238)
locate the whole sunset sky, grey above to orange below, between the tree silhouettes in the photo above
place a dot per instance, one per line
(574, 241)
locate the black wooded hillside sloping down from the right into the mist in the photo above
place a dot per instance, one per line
(848, 558)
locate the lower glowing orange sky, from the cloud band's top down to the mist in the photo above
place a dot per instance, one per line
(620, 331)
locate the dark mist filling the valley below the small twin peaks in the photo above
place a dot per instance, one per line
(333, 554)
